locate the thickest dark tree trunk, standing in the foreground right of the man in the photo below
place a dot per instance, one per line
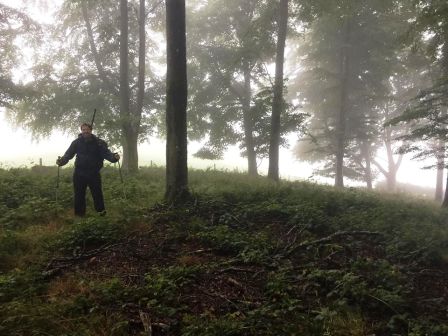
(176, 104)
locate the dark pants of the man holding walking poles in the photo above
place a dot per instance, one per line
(80, 183)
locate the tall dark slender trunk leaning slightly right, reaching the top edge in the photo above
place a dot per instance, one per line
(277, 104)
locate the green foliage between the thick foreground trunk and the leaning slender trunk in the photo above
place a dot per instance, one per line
(231, 90)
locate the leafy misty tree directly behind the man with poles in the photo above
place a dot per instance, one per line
(77, 68)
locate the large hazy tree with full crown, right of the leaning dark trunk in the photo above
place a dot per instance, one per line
(348, 55)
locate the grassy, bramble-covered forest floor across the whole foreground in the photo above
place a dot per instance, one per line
(247, 257)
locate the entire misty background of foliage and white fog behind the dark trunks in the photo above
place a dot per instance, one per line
(231, 54)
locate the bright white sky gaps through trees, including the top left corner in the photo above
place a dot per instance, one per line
(18, 148)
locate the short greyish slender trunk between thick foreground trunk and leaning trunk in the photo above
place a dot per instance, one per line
(248, 121)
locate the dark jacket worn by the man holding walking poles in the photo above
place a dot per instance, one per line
(90, 154)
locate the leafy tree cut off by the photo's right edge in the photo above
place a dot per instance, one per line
(427, 113)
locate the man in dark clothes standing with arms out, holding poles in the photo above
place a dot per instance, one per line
(90, 153)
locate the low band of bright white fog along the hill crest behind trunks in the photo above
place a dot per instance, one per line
(27, 152)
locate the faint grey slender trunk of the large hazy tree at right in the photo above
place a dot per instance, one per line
(342, 115)
